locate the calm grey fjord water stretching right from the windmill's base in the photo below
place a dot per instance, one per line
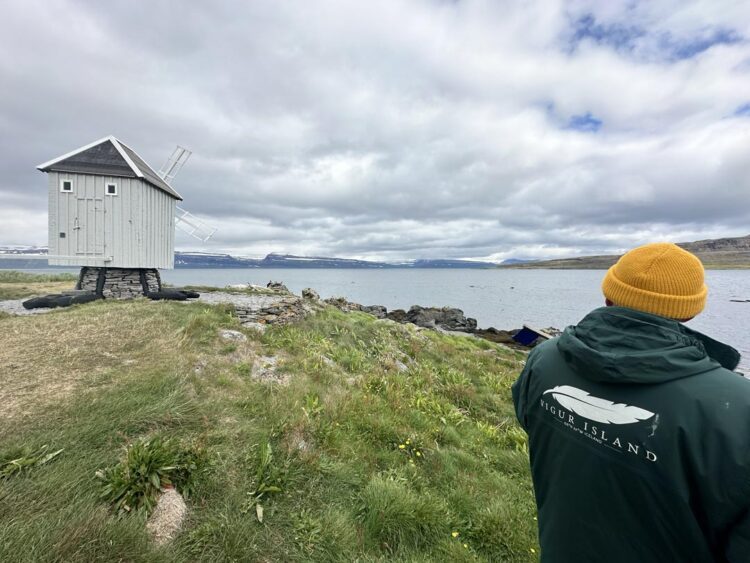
(500, 298)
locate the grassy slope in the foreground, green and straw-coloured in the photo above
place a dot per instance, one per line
(386, 443)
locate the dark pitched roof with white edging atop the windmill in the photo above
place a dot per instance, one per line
(108, 157)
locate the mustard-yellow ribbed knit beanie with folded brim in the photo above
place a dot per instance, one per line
(659, 278)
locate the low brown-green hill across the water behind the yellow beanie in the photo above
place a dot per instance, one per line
(729, 253)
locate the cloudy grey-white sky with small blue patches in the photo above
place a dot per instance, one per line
(398, 128)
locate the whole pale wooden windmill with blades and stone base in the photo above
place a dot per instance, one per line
(113, 215)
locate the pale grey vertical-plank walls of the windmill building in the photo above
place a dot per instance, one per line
(135, 228)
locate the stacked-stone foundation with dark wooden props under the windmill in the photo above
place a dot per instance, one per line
(119, 283)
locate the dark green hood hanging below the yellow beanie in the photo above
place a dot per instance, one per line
(620, 345)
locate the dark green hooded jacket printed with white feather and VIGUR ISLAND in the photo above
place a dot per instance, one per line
(639, 437)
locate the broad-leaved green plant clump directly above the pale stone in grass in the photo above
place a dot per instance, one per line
(148, 467)
